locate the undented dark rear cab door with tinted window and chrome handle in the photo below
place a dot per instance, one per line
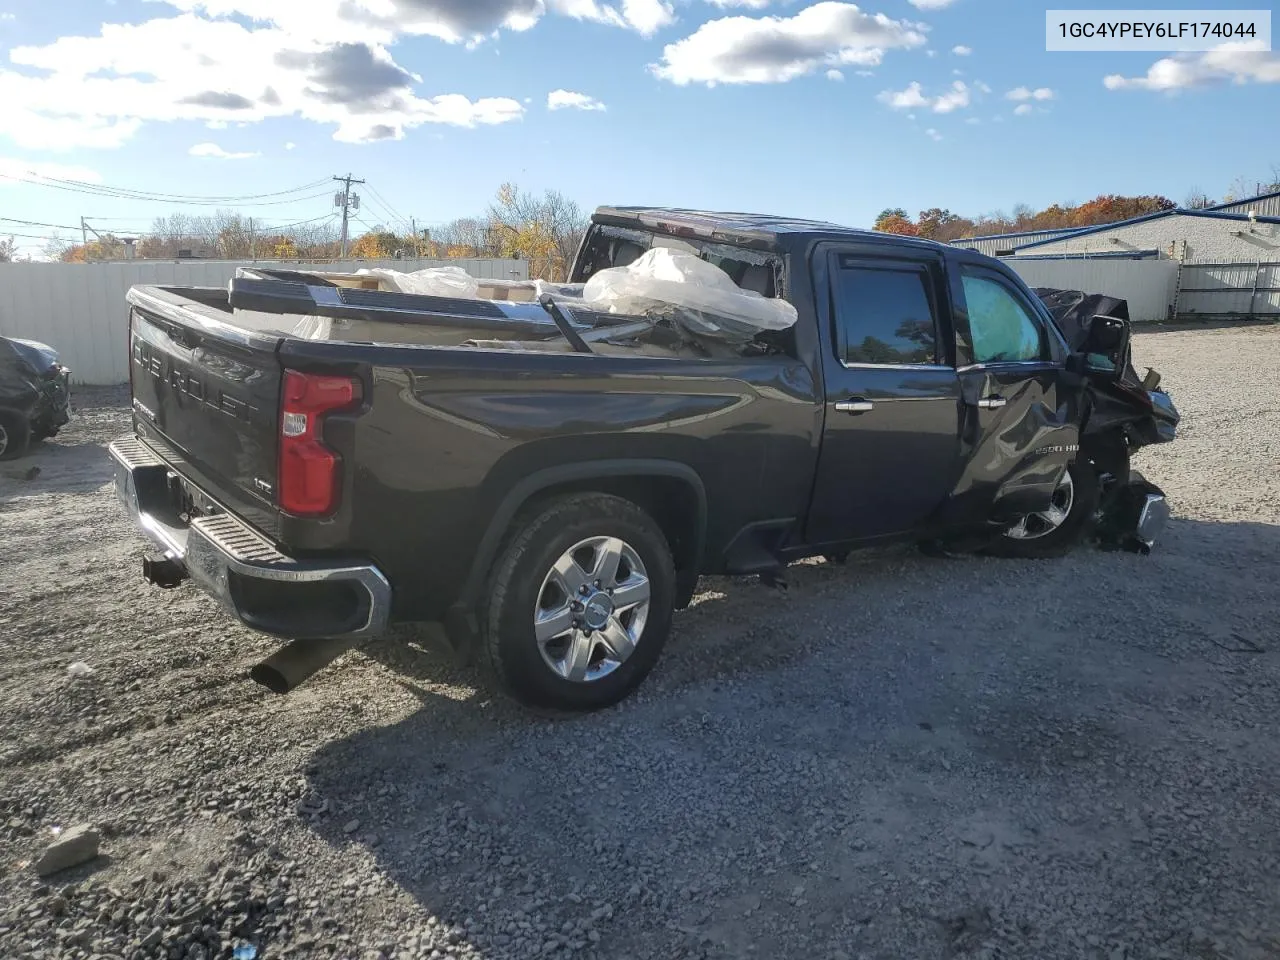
(890, 445)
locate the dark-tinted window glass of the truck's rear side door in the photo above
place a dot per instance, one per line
(885, 314)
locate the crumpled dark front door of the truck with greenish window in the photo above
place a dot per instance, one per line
(1021, 427)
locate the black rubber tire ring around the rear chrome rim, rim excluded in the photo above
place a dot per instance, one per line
(511, 648)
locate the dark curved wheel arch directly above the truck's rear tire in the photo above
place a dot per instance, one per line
(670, 501)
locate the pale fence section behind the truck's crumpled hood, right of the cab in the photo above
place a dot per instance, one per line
(1148, 285)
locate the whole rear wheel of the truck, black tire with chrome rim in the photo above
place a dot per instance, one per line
(580, 605)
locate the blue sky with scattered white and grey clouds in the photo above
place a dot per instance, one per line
(816, 109)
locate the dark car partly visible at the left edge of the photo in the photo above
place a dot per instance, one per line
(35, 395)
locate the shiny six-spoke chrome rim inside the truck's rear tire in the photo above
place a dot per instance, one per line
(592, 610)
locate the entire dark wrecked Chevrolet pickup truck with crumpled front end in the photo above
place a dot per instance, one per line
(548, 470)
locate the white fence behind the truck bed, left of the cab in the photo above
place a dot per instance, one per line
(80, 309)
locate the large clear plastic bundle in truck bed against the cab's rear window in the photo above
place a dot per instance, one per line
(693, 294)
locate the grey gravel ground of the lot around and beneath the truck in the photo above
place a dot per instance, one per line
(898, 758)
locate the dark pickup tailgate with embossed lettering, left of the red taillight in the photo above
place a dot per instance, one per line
(207, 397)
